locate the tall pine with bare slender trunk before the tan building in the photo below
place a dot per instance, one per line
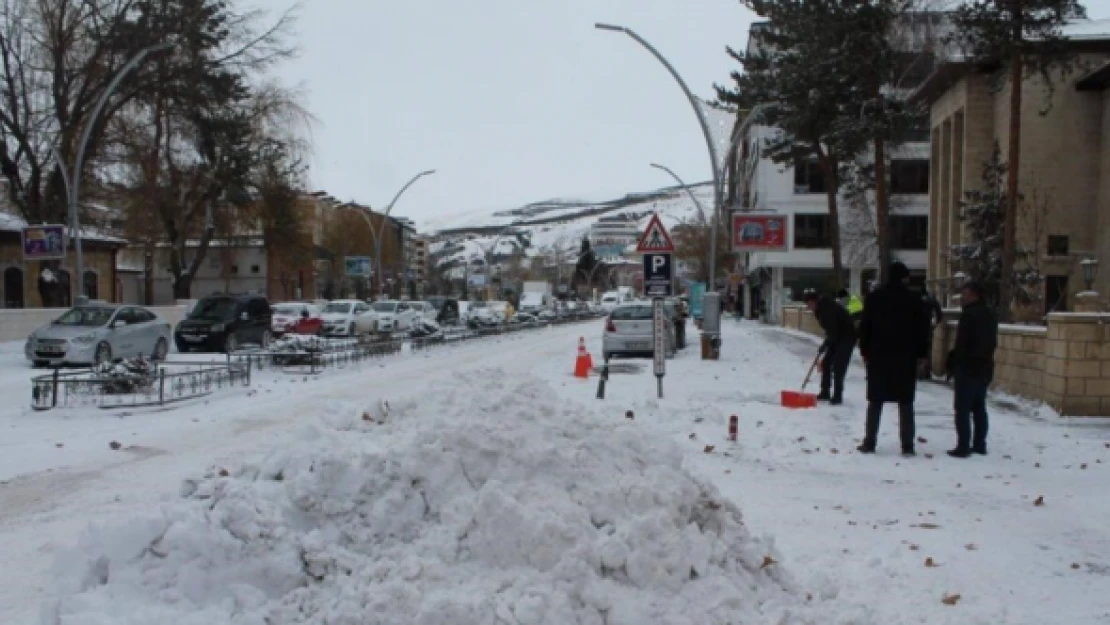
(1025, 37)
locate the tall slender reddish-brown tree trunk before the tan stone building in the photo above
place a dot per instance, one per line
(1014, 164)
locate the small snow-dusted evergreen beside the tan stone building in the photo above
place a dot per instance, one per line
(984, 216)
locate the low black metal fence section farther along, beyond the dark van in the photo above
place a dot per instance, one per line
(314, 358)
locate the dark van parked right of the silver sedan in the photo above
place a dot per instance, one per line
(223, 324)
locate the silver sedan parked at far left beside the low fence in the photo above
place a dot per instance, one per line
(99, 334)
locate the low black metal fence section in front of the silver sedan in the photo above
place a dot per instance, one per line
(170, 382)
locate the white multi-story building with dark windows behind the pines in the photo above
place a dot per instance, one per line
(798, 191)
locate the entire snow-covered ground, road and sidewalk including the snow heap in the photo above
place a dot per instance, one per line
(501, 491)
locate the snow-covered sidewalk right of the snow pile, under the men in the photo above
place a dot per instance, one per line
(870, 527)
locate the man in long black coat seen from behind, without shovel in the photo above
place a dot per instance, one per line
(894, 341)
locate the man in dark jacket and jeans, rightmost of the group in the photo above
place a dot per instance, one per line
(972, 364)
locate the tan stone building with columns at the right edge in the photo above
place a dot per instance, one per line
(1065, 172)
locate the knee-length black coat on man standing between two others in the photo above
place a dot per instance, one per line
(894, 335)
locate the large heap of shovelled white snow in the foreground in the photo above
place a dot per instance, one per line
(477, 507)
